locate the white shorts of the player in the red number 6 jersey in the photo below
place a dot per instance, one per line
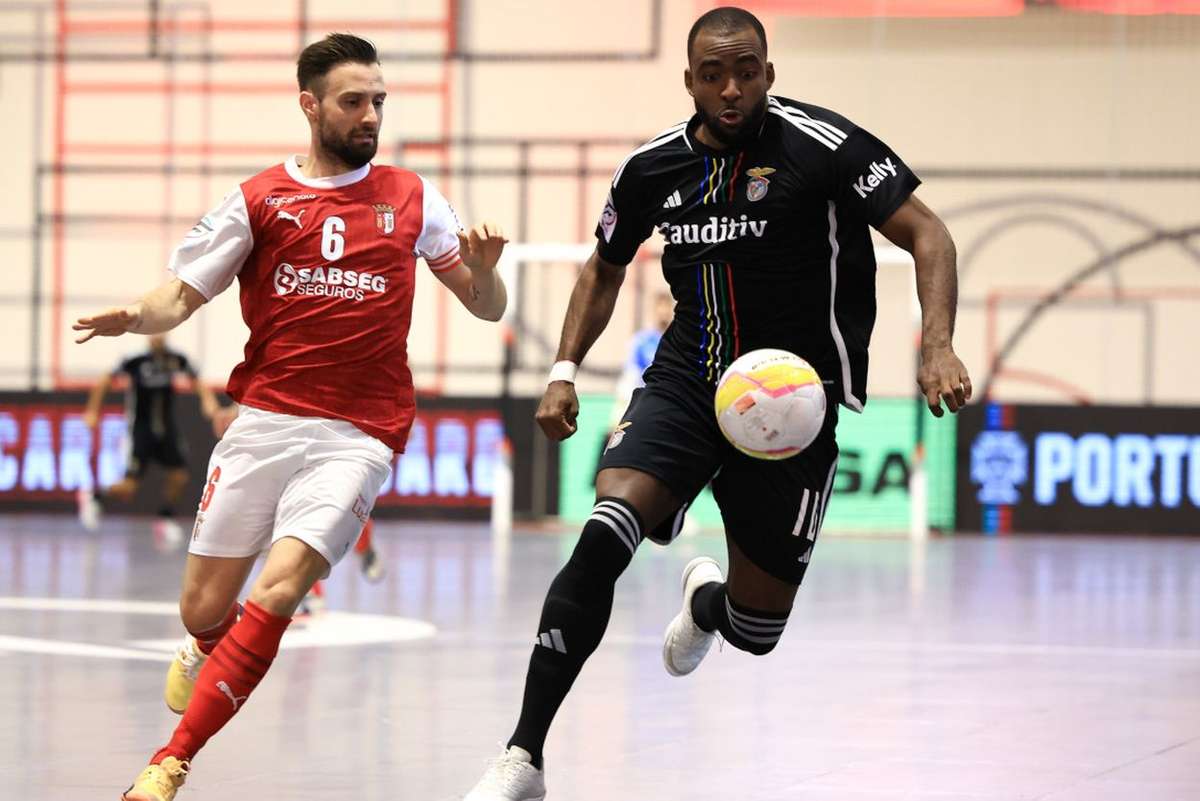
(275, 477)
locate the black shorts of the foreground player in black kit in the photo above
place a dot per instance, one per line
(772, 509)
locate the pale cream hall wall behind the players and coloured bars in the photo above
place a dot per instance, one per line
(1046, 92)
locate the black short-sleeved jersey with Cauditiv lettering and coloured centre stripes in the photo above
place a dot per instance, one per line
(766, 246)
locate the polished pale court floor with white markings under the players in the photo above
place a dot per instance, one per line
(1057, 668)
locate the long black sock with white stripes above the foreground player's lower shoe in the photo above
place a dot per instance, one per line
(574, 617)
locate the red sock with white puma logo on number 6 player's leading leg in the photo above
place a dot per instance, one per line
(237, 665)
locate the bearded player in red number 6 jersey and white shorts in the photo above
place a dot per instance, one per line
(325, 250)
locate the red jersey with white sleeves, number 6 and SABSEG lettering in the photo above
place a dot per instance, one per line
(327, 272)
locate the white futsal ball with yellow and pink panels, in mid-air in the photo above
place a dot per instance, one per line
(770, 405)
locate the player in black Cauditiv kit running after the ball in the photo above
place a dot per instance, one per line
(765, 207)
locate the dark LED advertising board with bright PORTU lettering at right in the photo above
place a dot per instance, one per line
(1082, 469)
